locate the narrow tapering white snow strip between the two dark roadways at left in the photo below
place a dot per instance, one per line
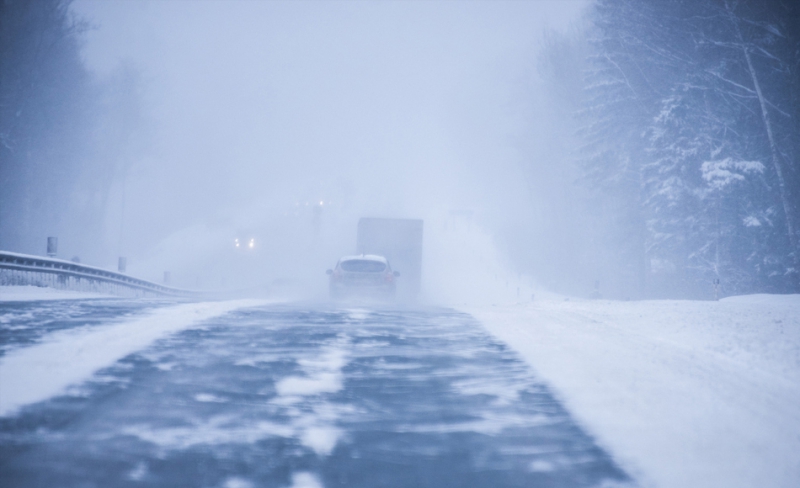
(36, 373)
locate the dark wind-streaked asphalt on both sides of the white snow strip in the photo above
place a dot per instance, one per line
(299, 396)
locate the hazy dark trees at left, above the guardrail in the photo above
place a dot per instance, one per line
(65, 133)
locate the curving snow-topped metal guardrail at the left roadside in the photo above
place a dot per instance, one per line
(26, 269)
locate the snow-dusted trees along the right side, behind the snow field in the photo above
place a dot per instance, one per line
(690, 140)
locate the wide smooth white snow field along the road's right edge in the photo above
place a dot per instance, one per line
(683, 394)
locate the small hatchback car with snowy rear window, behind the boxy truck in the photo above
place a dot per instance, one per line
(363, 276)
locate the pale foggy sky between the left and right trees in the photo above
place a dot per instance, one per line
(388, 108)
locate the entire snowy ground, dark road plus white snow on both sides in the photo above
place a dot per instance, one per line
(677, 393)
